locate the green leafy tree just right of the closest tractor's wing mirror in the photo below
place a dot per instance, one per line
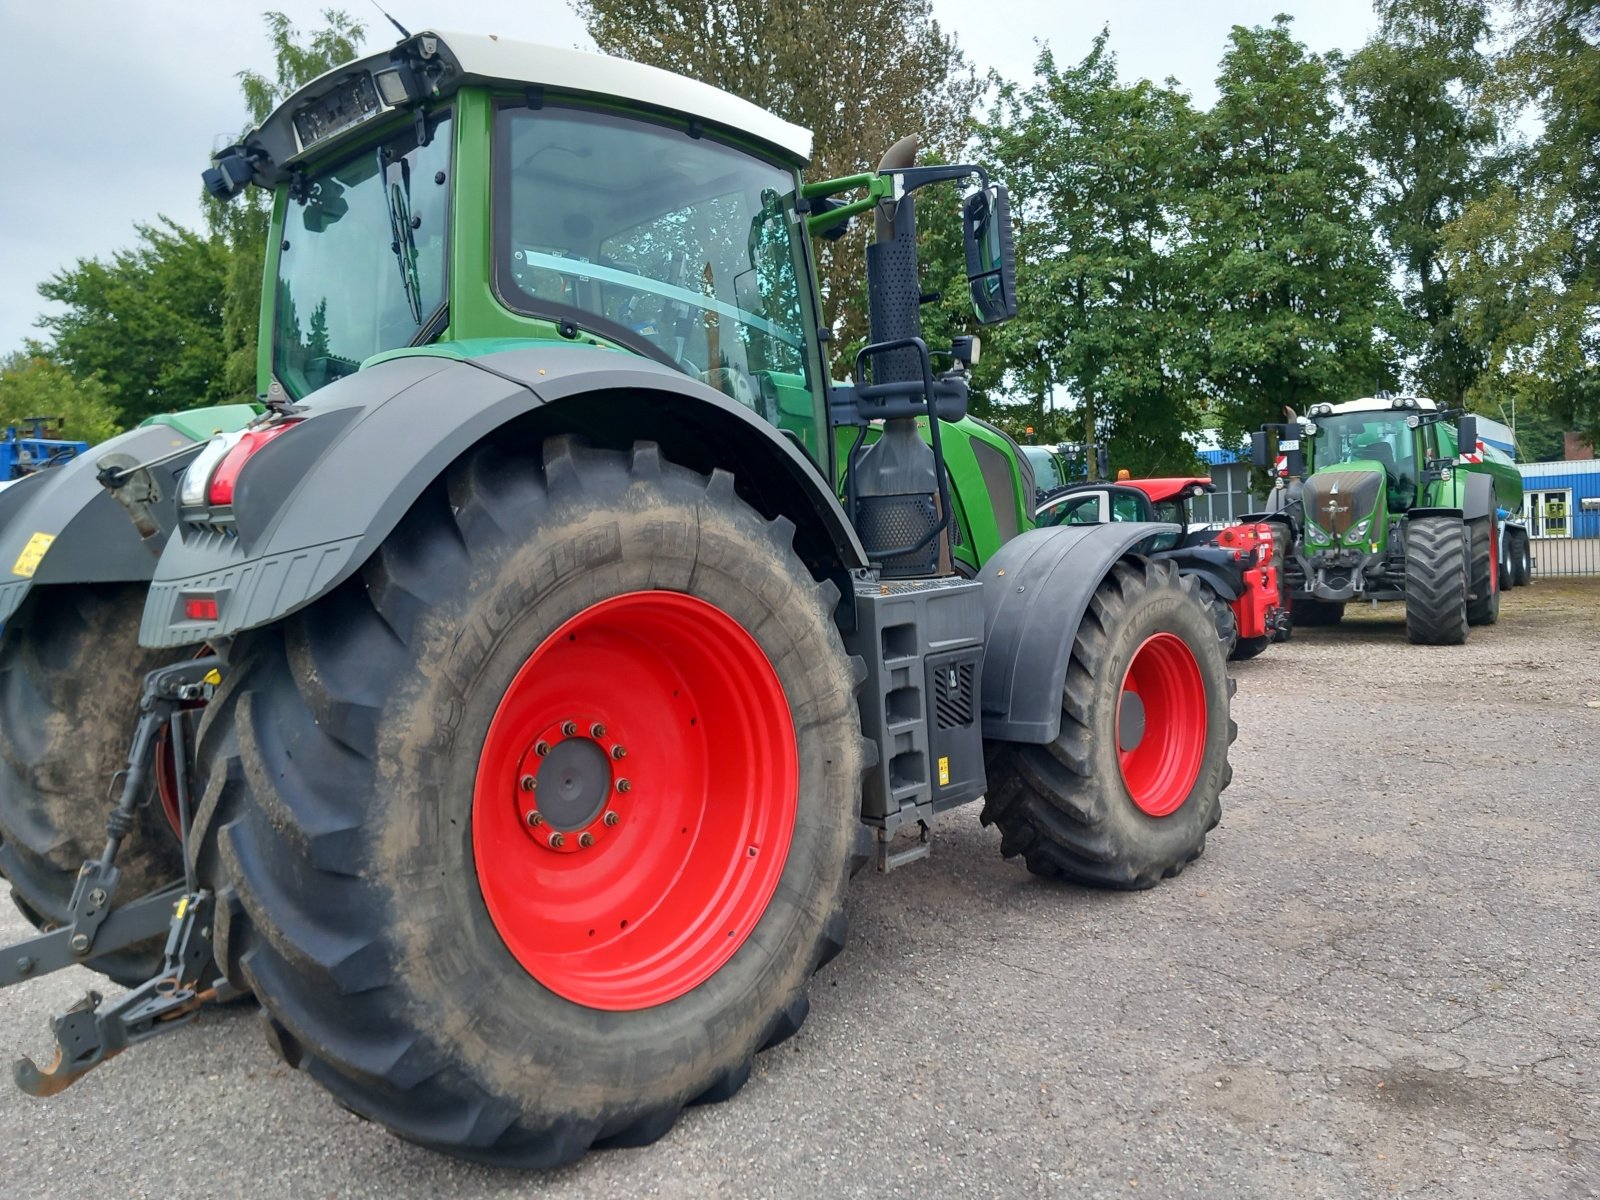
(1100, 177)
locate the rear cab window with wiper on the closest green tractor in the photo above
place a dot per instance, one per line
(362, 260)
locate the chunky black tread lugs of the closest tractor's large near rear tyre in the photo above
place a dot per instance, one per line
(294, 762)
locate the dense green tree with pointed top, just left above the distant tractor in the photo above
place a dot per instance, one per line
(1298, 305)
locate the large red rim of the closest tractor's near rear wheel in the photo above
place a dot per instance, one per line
(636, 801)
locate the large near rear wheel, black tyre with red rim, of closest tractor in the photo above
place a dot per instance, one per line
(618, 647)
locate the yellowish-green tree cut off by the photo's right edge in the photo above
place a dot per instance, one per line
(1527, 255)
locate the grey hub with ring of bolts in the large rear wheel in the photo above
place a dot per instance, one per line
(569, 788)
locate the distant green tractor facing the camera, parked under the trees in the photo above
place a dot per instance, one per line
(1388, 500)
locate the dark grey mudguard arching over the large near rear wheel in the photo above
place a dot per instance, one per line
(314, 505)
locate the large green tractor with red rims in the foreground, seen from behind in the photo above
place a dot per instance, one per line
(505, 706)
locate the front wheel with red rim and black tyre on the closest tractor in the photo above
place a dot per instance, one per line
(1130, 788)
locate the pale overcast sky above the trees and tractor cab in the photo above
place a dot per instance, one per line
(114, 106)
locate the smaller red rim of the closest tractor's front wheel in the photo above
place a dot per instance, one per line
(1161, 724)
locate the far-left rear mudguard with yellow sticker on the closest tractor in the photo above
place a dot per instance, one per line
(62, 527)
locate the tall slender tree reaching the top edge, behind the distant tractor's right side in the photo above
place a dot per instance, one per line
(1414, 92)
